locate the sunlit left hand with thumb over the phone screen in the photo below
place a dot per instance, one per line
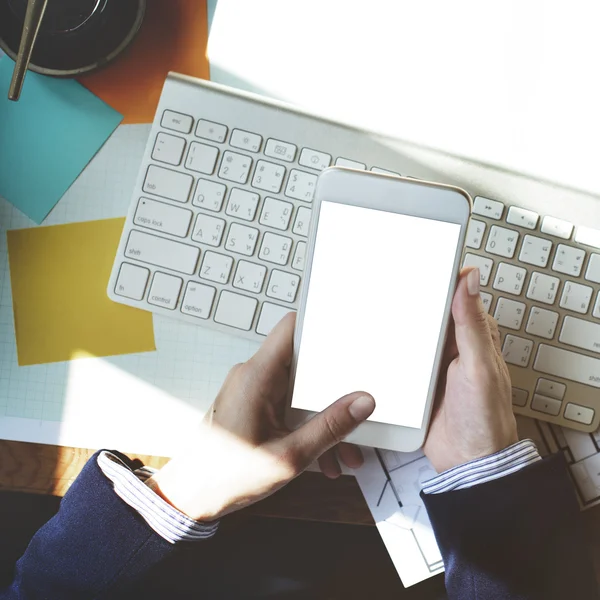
(244, 452)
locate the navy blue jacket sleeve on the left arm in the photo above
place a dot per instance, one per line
(94, 547)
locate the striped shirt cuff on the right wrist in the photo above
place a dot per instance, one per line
(481, 470)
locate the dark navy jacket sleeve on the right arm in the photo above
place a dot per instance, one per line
(517, 537)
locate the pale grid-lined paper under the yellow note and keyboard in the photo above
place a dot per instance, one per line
(158, 396)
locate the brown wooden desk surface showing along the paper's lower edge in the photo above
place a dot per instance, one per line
(43, 469)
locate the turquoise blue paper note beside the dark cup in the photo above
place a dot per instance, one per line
(47, 138)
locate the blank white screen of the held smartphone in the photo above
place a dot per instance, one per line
(374, 311)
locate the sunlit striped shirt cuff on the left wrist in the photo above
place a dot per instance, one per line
(171, 524)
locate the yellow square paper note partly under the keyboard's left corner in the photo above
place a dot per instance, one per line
(58, 276)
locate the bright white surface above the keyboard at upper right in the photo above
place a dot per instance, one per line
(510, 83)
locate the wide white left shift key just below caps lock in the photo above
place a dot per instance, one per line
(162, 252)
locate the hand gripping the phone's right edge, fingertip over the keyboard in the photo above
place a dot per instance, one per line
(473, 415)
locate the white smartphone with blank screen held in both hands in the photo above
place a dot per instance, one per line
(382, 263)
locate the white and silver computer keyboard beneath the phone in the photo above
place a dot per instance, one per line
(216, 236)
